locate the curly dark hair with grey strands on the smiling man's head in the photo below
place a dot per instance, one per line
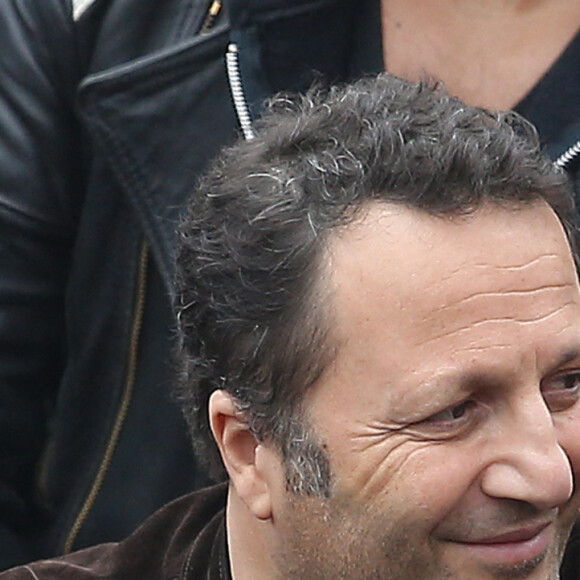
(254, 316)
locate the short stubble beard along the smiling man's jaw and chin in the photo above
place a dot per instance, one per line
(326, 539)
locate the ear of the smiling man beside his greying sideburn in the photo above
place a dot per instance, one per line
(245, 458)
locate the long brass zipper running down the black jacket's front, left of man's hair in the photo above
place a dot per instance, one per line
(124, 405)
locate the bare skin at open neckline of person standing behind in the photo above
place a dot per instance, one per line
(488, 53)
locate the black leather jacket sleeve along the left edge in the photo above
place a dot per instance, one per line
(40, 164)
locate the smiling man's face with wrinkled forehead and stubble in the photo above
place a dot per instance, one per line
(450, 415)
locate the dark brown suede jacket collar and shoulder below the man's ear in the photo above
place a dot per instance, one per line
(185, 540)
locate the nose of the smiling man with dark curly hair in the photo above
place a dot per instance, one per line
(527, 462)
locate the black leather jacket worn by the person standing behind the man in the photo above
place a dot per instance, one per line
(109, 109)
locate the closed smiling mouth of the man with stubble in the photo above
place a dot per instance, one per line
(514, 547)
